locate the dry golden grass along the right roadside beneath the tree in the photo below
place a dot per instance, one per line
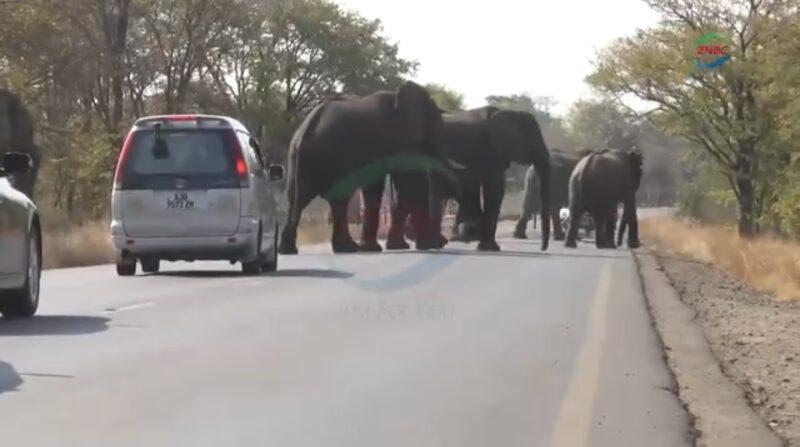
(767, 263)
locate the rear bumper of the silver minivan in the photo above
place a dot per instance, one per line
(240, 246)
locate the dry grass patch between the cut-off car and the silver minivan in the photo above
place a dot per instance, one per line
(82, 245)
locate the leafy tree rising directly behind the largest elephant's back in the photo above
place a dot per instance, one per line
(311, 49)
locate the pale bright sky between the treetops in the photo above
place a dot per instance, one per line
(480, 48)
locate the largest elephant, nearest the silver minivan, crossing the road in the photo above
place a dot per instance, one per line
(347, 143)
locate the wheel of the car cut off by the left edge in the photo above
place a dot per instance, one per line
(22, 303)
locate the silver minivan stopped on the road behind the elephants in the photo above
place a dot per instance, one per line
(194, 187)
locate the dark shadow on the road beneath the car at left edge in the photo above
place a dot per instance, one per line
(54, 325)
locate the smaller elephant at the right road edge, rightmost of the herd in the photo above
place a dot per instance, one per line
(599, 182)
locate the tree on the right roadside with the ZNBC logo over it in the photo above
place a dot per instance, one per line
(730, 112)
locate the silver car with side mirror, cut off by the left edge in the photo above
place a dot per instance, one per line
(20, 242)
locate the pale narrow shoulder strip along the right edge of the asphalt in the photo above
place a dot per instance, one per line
(721, 413)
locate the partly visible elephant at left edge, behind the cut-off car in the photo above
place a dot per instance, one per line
(16, 134)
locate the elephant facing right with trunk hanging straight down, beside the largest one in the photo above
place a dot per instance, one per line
(483, 142)
